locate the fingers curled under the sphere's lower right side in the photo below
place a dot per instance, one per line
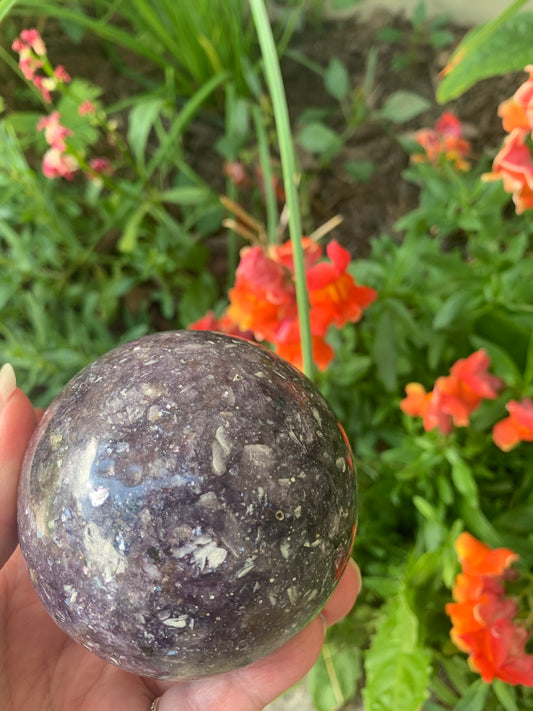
(255, 686)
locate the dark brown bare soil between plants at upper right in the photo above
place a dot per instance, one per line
(369, 208)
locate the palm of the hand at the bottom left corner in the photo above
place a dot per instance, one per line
(40, 662)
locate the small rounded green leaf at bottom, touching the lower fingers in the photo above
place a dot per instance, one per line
(333, 679)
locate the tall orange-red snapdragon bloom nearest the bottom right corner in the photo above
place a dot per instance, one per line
(482, 616)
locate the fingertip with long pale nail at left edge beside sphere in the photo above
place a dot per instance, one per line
(17, 422)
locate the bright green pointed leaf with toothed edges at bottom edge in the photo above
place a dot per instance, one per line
(397, 665)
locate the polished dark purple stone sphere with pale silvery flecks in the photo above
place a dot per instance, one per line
(187, 504)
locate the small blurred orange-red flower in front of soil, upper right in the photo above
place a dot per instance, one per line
(443, 140)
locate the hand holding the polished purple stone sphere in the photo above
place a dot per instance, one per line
(42, 669)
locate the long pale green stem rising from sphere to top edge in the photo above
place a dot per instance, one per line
(288, 163)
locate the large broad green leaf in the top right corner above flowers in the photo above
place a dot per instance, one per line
(490, 57)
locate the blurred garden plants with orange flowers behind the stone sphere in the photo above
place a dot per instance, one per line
(424, 343)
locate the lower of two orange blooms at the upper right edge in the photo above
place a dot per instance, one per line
(513, 165)
